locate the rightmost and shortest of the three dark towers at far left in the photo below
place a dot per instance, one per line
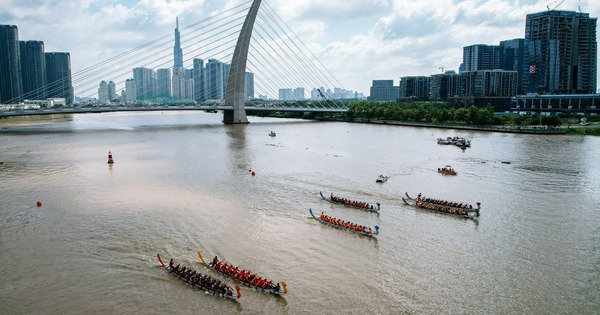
(58, 76)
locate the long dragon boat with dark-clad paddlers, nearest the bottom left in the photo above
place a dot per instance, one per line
(200, 281)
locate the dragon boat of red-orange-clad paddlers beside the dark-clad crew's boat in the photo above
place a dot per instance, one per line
(245, 277)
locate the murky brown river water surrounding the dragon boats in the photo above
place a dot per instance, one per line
(182, 183)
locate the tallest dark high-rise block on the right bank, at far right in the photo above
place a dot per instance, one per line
(562, 51)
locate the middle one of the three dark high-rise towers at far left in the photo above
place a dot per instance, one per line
(33, 69)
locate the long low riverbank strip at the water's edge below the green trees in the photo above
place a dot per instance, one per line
(576, 130)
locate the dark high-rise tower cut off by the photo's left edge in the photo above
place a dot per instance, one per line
(11, 86)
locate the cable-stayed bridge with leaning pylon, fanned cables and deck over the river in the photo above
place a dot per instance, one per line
(220, 54)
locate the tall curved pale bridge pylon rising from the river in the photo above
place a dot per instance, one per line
(235, 94)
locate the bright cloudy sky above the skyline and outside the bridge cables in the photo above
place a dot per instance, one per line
(356, 40)
